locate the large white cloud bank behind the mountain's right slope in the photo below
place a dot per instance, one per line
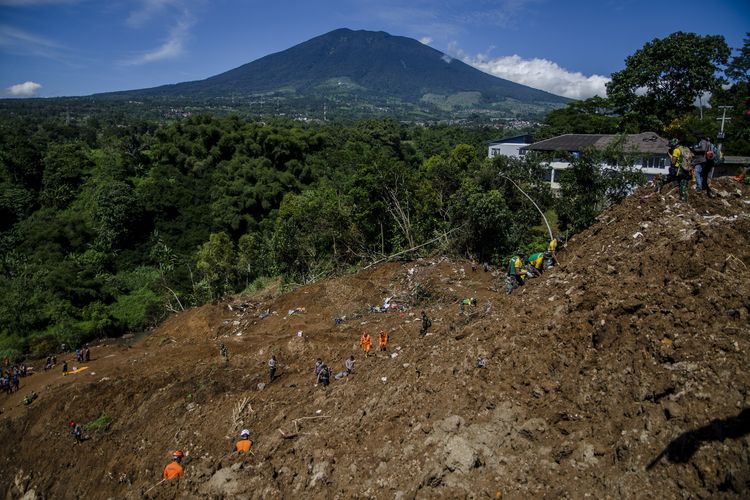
(541, 74)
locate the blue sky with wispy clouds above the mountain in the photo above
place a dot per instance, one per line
(80, 47)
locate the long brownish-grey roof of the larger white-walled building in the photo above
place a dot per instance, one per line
(645, 143)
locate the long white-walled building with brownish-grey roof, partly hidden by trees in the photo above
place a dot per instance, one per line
(650, 150)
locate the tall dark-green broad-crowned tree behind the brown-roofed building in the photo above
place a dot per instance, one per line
(665, 77)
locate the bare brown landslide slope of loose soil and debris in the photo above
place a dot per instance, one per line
(622, 372)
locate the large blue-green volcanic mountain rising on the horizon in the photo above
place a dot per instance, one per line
(347, 68)
